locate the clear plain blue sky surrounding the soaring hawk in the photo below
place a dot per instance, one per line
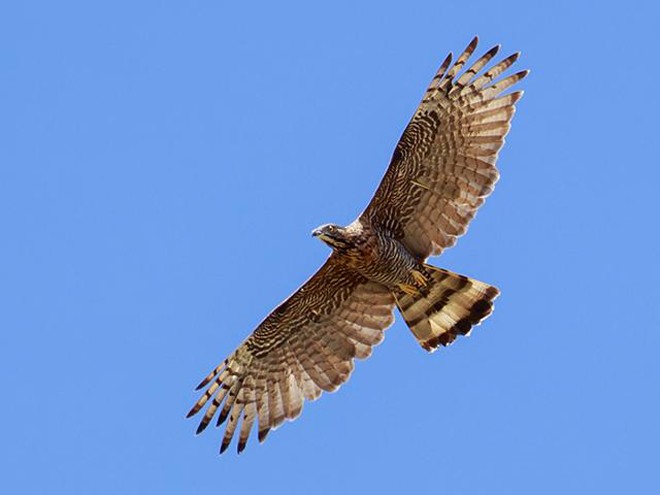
(162, 165)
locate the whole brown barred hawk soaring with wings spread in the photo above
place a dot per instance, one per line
(441, 171)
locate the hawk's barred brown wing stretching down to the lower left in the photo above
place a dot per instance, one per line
(305, 346)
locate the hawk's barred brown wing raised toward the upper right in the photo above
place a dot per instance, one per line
(443, 167)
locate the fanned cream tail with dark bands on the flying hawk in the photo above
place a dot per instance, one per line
(449, 306)
